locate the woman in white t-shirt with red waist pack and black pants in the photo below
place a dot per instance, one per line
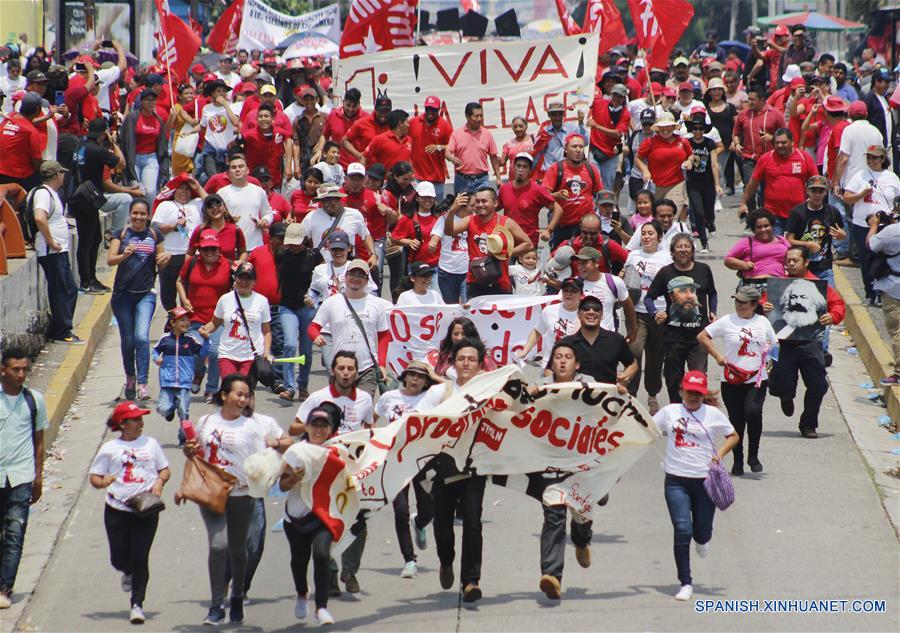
(746, 339)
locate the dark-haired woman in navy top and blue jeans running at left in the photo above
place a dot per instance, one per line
(137, 251)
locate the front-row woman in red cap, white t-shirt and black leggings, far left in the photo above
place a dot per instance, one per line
(125, 467)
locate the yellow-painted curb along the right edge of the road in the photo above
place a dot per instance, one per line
(874, 354)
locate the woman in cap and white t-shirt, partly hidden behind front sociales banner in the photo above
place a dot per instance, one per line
(416, 379)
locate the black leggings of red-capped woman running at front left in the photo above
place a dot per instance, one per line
(130, 538)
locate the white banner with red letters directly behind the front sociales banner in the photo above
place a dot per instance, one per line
(504, 322)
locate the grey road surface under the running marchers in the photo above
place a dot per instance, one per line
(811, 527)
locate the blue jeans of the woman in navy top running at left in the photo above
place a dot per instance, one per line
(134, 311)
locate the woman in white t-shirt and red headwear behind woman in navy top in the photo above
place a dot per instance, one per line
(176, 216)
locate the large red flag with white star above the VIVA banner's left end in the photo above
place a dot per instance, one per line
(378, 25)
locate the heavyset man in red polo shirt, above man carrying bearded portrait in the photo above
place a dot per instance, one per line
(783, 172)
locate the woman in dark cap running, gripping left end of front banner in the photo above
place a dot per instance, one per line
(307, 536)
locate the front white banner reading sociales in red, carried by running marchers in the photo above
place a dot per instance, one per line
(584, 435)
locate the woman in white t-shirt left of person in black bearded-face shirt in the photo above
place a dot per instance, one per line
(641, 266)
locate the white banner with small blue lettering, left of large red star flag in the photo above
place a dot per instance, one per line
(262, 27)
